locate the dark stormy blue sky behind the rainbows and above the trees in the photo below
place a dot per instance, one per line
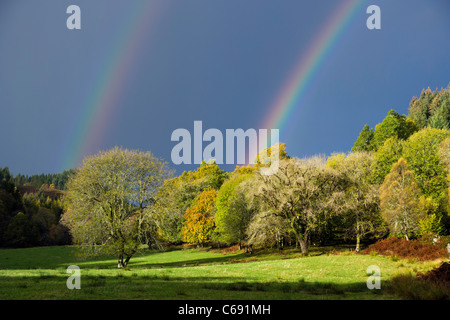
(221, 62)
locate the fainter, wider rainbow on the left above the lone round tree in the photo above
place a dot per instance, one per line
(99, 109)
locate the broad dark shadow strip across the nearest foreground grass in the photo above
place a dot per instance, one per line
(174, 288)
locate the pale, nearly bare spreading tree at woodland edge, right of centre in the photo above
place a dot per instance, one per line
(303, 193)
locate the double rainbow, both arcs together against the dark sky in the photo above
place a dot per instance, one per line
(100, 107)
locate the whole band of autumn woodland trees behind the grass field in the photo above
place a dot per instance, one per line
(394, 181)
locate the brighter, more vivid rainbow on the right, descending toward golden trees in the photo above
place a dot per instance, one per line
(289, 98)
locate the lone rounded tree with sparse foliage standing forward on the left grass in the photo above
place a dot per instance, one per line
(106, 199)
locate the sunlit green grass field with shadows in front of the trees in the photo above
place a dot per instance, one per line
(40, 273)
